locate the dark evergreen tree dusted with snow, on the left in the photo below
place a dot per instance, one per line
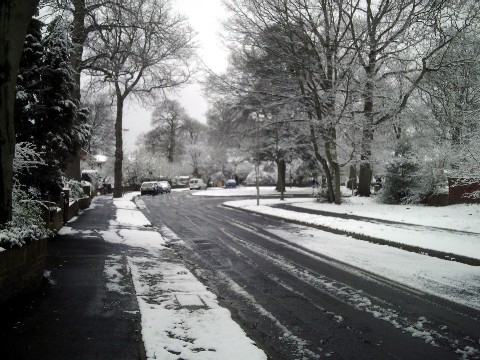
(46, 113)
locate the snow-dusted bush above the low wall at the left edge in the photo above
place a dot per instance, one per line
(27, 223)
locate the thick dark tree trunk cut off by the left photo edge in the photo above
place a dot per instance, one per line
(15, 16)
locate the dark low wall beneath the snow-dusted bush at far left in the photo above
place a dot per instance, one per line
(21, 269)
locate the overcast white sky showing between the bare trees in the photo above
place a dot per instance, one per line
(204, 17)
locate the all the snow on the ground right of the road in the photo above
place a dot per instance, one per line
(447, 279)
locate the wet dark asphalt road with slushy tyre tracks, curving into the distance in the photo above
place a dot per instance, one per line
(296, 305)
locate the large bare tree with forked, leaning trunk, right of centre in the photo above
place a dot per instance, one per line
(297, 52)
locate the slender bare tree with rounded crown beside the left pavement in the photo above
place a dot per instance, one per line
(148, 50)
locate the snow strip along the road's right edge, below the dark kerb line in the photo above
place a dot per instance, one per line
(447, 279)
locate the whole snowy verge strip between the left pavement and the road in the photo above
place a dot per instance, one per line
(181, 318)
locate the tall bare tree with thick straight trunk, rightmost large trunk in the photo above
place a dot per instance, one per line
(399, 42)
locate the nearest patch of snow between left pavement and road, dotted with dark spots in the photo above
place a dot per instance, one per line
(182, 319)
